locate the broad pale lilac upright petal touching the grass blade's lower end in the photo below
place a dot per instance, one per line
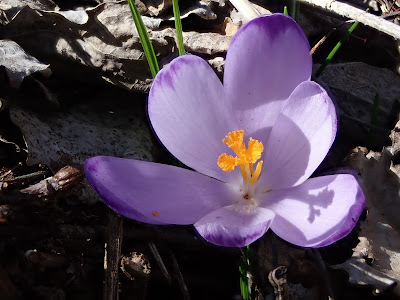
(190, 116)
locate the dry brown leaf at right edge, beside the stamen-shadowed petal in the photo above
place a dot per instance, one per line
(380, 232)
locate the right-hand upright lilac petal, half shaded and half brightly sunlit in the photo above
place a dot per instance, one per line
(300, 138)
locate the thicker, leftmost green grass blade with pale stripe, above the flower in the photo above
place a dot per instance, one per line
(144, 38)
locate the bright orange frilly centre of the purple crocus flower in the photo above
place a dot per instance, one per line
(245, 157)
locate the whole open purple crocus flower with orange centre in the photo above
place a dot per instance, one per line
(253, 143)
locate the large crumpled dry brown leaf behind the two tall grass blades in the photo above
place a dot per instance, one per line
(103, 46)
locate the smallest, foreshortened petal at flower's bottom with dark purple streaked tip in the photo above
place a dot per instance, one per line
(235, 225)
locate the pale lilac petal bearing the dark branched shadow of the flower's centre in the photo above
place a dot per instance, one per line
(318, 212)
